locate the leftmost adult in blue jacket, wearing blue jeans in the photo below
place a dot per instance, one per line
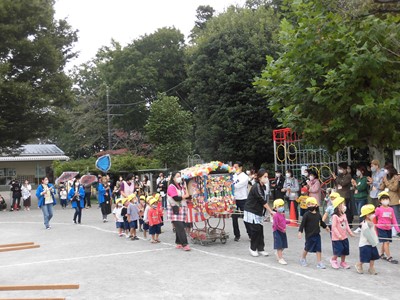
(46, 200)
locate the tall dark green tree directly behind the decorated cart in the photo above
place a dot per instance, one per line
(231, 119)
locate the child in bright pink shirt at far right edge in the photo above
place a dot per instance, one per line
(386, 219)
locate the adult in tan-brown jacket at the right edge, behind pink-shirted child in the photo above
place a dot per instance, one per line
(391, 185)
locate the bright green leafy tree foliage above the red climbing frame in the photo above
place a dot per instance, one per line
(336, 80)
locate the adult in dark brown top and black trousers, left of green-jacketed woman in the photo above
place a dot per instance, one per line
(343, 184)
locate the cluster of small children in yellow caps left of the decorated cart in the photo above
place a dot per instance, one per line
(147, 214)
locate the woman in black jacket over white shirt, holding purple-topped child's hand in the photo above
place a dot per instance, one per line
(257, 200)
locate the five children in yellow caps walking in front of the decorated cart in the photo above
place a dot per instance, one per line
(335, 222)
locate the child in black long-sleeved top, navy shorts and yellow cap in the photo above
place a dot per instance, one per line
(310, 223)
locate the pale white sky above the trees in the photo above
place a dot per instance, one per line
(99, 21)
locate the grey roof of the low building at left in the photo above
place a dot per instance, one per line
(36, 152)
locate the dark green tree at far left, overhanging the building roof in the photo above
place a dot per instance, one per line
(33, 86)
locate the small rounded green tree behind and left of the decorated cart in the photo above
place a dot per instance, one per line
(169, 128)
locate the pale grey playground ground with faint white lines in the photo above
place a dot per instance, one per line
(109, 267)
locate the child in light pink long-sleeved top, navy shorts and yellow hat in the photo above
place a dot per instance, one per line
(340, 227)
